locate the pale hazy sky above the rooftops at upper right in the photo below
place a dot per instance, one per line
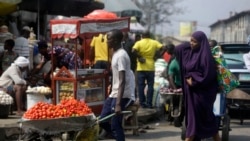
(205, 12)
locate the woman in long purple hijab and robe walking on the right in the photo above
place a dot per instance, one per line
(199, 84)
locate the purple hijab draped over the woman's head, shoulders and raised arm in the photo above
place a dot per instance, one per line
(198, 64)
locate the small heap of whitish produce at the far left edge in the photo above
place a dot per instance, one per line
(5, 103)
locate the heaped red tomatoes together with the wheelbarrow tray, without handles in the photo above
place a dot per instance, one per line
(48, 119)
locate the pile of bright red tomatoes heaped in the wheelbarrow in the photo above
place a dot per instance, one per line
(66, 108)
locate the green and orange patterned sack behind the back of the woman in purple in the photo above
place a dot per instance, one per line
(227, 81)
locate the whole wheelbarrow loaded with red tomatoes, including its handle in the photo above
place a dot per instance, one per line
(71, 117)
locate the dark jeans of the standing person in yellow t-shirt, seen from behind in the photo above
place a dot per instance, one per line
(142, 78)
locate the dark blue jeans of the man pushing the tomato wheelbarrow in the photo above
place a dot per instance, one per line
(115, 128)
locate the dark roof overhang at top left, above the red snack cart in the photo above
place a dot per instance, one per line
(61, 7)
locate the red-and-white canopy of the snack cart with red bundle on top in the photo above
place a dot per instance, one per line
(99, 21)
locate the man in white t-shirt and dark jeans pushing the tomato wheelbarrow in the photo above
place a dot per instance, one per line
(123, 86)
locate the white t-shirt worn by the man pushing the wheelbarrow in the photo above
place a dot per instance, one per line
(121, 62)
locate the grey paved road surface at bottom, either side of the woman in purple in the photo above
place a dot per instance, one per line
(162, 131)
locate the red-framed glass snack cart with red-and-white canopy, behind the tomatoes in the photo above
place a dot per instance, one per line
(85, 84)
